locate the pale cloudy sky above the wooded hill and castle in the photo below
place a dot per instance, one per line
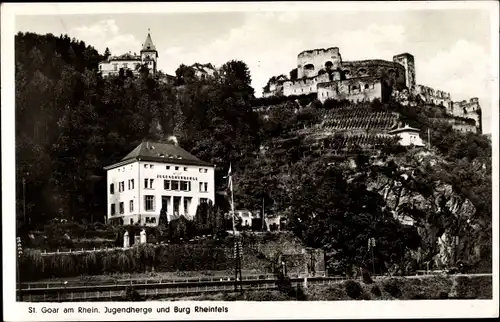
(452, 48)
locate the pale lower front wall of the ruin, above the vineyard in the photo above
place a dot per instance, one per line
(356, 89)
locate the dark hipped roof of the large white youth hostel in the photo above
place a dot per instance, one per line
(160, 152)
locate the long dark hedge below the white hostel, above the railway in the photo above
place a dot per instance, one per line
(141, 258)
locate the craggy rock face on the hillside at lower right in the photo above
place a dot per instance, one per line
(444, 218)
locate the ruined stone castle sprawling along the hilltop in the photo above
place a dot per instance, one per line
(324, 73)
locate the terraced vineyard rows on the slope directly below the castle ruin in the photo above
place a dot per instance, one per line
(358, 118)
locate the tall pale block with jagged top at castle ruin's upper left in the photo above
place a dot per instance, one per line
(309, 62)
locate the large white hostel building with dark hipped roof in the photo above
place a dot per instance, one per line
(157, 177)
